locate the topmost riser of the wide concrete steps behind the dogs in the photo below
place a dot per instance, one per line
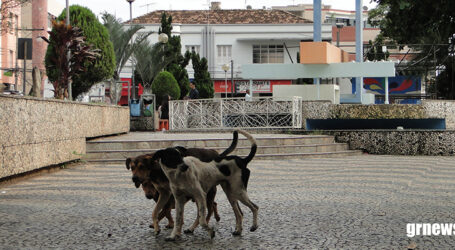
(99, 145)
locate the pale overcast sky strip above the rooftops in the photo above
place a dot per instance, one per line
(121, 8)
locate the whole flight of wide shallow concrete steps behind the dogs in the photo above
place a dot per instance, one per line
(270, 146)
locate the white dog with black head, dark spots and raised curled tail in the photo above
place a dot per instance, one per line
(190, 177)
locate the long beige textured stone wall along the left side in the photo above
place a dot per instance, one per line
(39, 132)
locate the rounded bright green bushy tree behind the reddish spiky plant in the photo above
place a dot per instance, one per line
(96, 34)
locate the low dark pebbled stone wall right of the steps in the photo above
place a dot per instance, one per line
(396, 142)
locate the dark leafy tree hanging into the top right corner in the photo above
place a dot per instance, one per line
(426, 26)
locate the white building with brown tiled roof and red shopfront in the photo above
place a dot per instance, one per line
(244, 36)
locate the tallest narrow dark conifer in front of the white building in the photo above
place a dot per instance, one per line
(177, 64)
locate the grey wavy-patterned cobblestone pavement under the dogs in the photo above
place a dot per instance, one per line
(355, 202)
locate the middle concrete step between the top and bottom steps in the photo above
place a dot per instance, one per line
(242, 150)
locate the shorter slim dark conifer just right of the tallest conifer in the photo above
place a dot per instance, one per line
(202, 78)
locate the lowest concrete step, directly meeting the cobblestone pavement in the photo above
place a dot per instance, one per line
(261, 156)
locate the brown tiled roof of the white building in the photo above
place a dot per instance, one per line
(239, 16)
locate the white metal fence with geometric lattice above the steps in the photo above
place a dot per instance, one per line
(263, 112)
